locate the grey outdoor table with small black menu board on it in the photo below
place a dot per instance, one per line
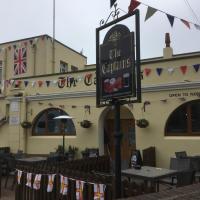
(149, 174)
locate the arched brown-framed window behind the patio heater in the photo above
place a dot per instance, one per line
(45, 124)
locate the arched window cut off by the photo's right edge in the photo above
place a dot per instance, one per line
(185, 120)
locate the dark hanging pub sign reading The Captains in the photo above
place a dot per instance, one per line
(117, 75)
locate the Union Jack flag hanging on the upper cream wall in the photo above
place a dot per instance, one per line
(20, 65)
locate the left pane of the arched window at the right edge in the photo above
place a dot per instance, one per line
(177, 122)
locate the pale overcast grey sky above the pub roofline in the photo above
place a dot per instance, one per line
(76, 21)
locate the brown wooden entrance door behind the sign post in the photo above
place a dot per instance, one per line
(127, 142)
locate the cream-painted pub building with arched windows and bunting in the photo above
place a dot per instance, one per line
(39, 82)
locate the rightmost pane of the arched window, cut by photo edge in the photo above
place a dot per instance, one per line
(195, 110)
